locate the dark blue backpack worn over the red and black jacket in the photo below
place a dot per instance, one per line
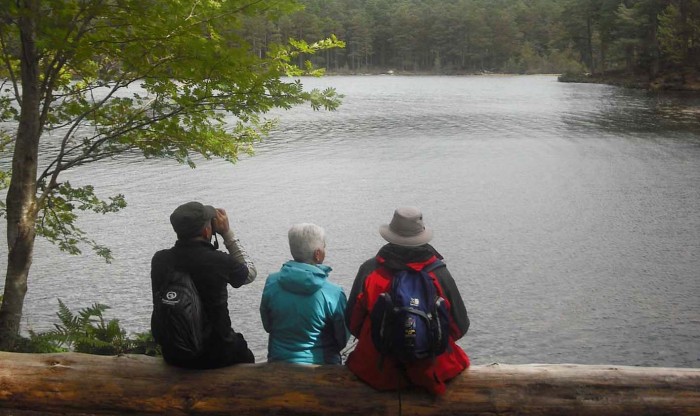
(410, 321)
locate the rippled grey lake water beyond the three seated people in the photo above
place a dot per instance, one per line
(567, 213)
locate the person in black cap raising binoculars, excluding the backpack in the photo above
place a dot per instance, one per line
(211, 271)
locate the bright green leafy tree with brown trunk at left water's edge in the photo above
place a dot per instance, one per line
(89, 80)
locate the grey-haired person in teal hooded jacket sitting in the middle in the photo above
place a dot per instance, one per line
(302, 311)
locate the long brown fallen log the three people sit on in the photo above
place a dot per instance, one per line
(80, 384)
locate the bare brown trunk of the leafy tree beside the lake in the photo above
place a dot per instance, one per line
(21, 195)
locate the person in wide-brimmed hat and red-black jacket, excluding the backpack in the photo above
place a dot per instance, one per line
(407, 248)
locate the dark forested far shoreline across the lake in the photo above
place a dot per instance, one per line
(648, 43)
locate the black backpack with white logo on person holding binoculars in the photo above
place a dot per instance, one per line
(178, 319)
